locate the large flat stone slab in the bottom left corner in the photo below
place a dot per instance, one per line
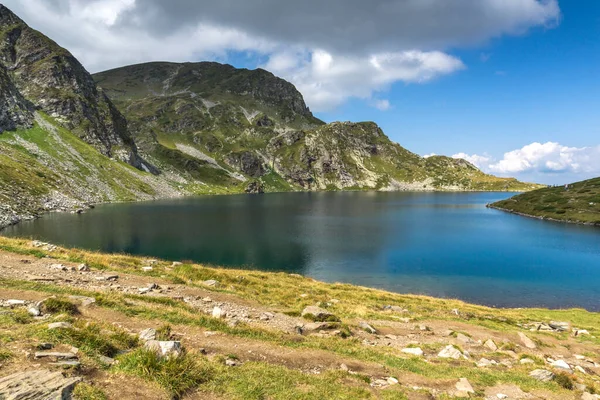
(40, 384)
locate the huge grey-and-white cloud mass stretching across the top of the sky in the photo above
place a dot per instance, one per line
(331, 50)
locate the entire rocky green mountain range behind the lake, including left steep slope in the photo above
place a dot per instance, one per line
(69, 139)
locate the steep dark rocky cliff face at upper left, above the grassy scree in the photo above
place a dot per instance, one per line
(50, 79)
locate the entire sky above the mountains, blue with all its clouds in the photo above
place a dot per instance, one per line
(512, 86)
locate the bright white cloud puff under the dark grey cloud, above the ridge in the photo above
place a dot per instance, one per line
(327, 80)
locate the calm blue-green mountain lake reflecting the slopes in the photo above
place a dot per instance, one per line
(440, 244)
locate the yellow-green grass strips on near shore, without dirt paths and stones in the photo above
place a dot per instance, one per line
(282, 293)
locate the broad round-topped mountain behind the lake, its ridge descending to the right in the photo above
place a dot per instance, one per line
(257, 126)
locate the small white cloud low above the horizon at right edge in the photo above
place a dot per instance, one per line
(549, 157)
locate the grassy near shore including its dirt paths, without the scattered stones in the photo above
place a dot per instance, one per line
(273, 363)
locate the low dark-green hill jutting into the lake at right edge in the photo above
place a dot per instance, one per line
(577, 203)
